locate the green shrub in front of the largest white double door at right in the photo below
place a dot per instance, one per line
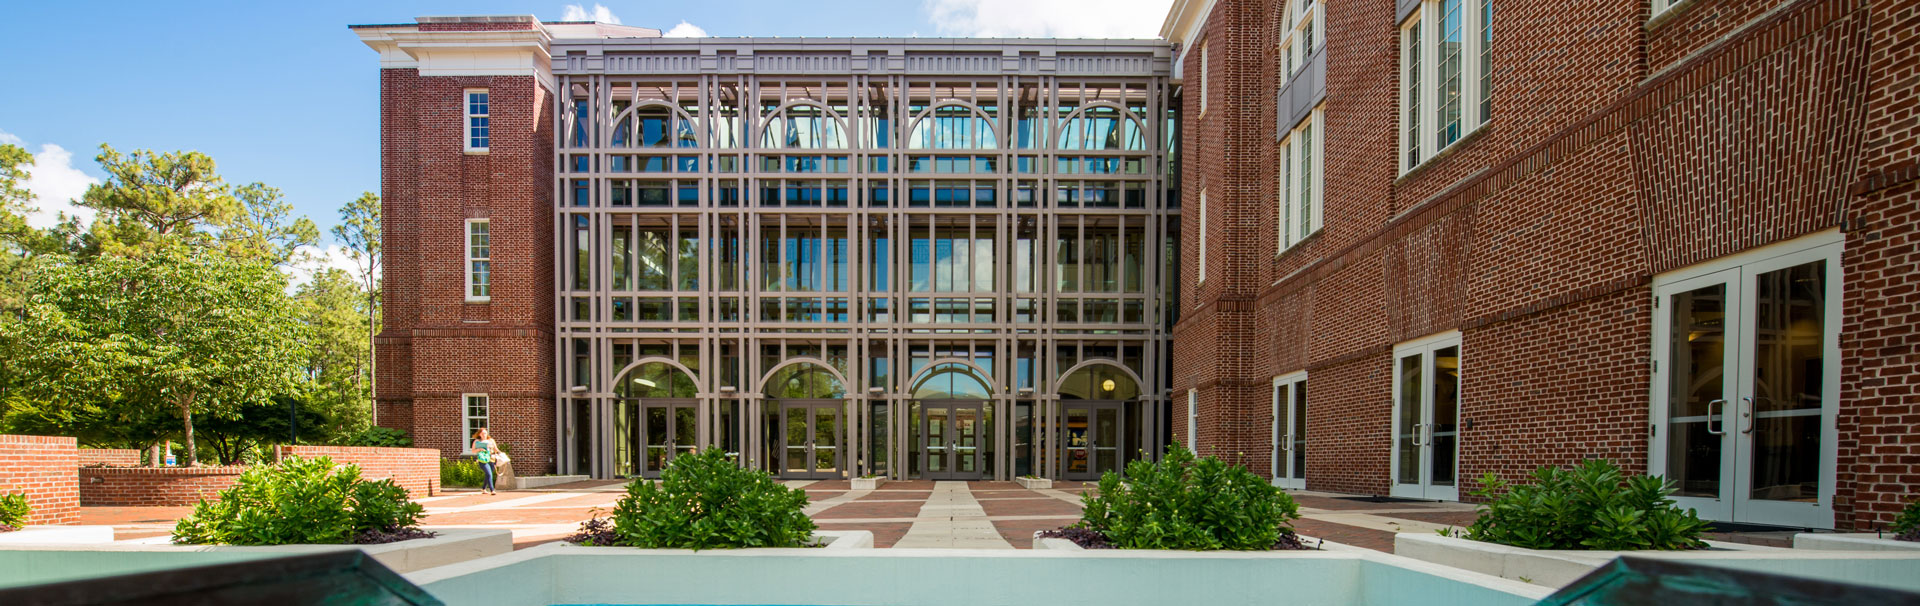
(1587, 507)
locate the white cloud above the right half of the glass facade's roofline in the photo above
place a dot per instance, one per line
(1047, 18)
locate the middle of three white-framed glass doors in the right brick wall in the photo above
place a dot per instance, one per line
(1428, 419)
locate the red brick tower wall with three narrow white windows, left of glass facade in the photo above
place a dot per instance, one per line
(435, 346)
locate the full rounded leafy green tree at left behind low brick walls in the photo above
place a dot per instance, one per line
(193, 331)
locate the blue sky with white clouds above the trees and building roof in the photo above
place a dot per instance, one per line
(283, 93)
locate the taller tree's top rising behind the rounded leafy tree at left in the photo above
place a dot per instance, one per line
(155, 198)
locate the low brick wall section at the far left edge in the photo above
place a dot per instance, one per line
(43, 469)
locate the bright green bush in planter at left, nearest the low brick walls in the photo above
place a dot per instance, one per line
(302, 501)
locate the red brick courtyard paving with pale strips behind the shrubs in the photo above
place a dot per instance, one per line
(967, 515)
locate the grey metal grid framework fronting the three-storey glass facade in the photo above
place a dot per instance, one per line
(734, 179)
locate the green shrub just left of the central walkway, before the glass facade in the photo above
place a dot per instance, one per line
(706, 501)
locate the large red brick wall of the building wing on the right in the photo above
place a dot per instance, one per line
(1618, 151)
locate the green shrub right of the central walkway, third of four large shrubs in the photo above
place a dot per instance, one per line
(1189, 503)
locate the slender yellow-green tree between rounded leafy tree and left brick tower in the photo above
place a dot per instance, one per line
(333, 310)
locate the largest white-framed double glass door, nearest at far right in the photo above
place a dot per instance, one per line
(1746, 385)
